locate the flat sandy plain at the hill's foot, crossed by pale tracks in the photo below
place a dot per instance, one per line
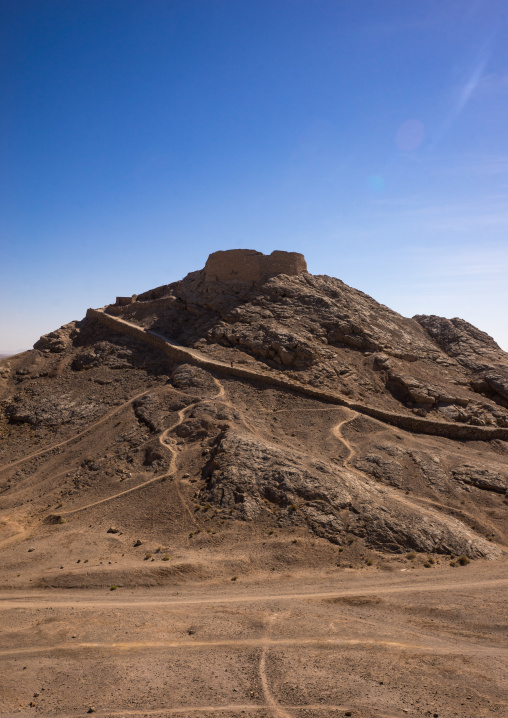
(369, 644)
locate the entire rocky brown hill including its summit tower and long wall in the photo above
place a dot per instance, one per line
(250, 416)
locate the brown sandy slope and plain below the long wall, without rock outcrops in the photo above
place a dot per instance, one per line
(214, 616)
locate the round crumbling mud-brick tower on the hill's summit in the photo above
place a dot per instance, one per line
(248, 265)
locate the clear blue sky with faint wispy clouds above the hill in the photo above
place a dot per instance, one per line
(138, 136)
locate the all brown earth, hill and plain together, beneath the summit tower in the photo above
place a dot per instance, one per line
(183, 536)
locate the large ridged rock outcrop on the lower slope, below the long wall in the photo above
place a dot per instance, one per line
(251, 476)
